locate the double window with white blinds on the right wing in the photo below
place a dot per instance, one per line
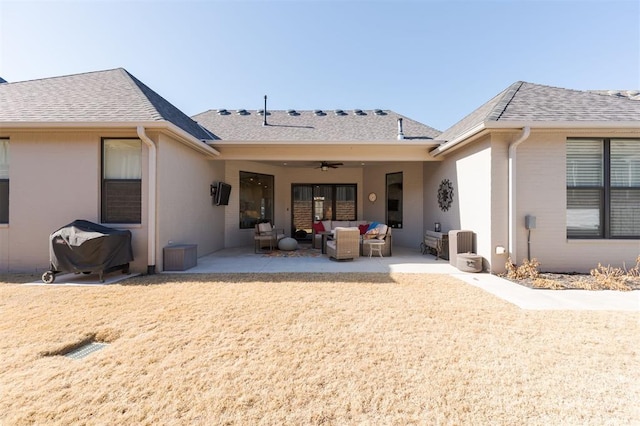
(603, 188)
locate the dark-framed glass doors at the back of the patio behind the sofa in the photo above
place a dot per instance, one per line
(313, 202)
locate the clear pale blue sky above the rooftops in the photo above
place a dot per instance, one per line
(432, 61)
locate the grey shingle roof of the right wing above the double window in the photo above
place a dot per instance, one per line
(528, 102)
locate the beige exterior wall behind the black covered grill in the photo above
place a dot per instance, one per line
(55, 179)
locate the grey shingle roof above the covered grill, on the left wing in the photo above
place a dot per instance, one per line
(112, 96)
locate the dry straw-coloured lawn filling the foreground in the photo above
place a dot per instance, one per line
(312, 349)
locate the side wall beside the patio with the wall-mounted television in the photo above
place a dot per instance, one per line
(186, 212)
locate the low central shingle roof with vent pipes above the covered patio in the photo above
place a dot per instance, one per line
(309, 126)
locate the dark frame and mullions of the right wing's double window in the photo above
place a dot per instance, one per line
(605, 190)
